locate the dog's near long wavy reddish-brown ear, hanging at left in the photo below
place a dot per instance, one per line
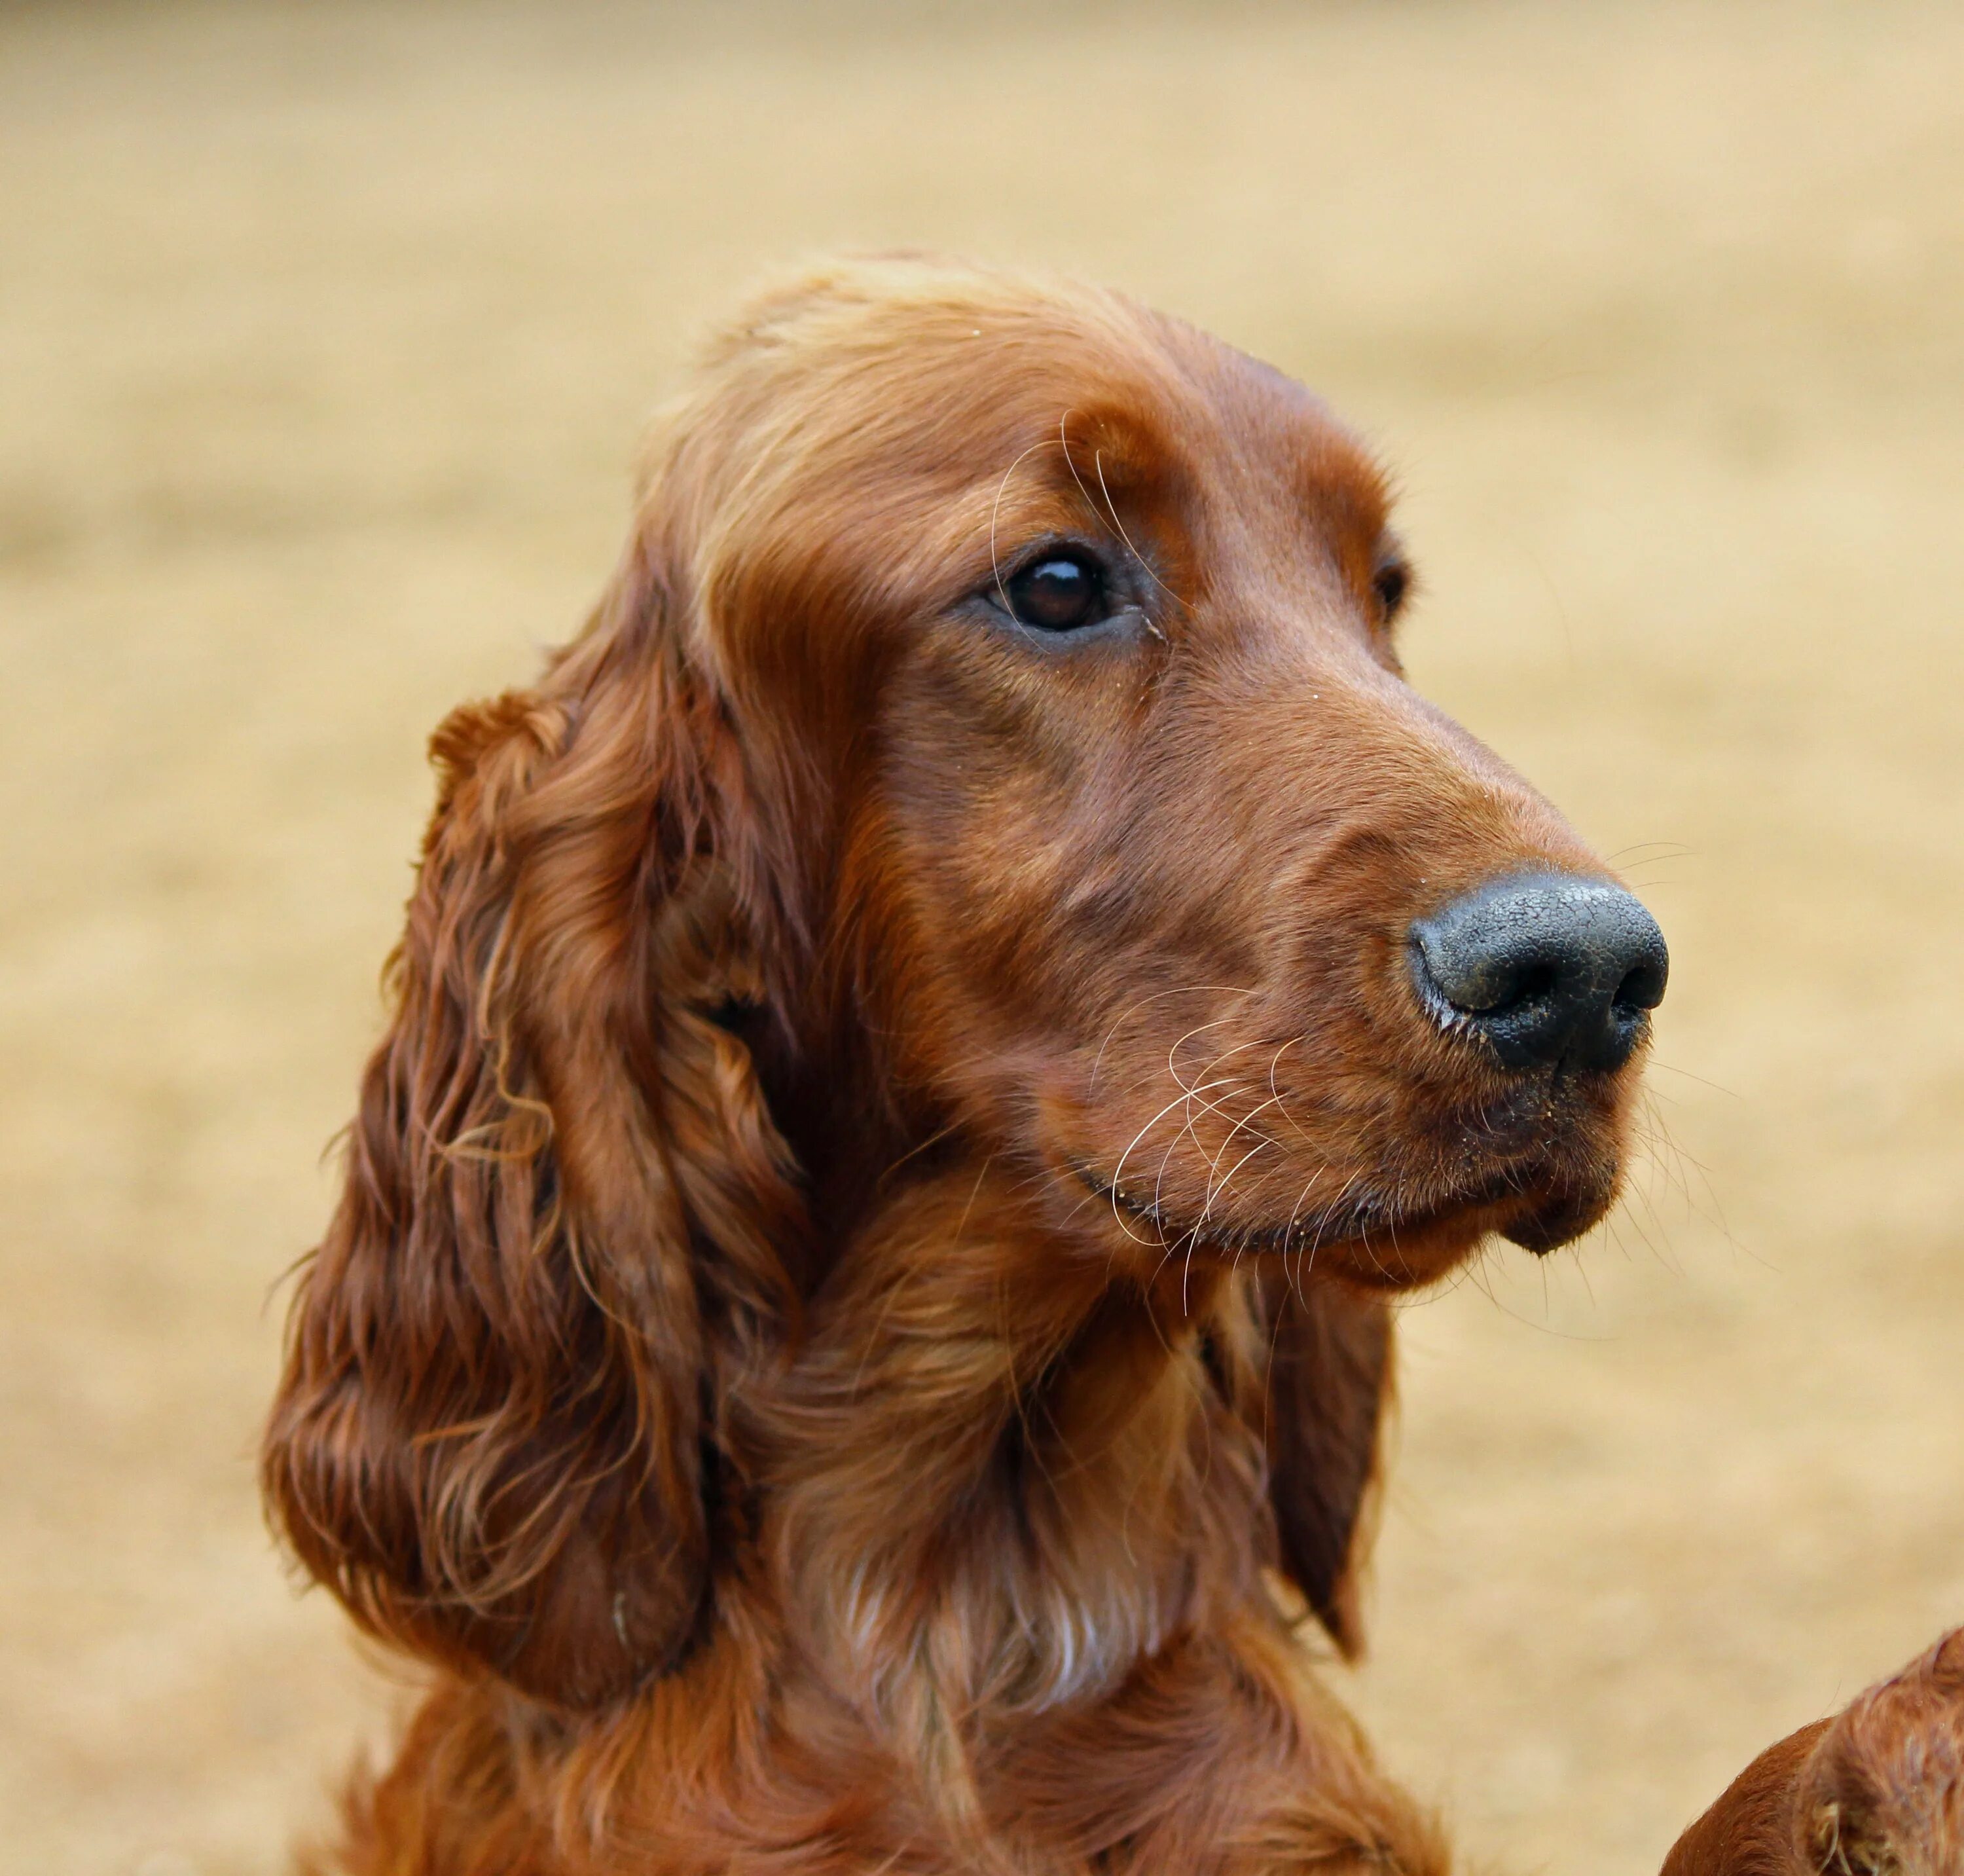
(567, 1207)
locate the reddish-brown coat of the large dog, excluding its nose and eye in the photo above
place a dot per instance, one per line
(787, 1351)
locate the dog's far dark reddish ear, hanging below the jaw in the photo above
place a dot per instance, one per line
(1329, 1388)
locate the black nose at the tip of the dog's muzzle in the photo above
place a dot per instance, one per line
(1547, 969)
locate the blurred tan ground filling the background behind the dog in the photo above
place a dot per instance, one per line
(325, 335)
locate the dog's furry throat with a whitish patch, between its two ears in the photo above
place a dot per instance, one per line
(981, 1421)
